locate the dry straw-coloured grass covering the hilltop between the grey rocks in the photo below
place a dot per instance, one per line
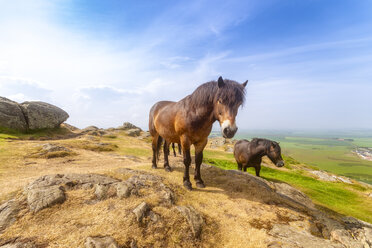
(228, 208)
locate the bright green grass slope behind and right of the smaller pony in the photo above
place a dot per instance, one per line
(333, 196)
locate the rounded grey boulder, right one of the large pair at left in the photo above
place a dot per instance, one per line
(43, 115)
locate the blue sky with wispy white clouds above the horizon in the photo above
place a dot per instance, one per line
(105, 62)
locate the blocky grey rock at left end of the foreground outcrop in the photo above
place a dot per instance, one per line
(40, 198)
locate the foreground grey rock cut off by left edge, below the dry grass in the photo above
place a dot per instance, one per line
(9, 213)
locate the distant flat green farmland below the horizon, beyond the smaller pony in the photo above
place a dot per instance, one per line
(325, 152)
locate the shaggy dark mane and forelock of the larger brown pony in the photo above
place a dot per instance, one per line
(207, 93)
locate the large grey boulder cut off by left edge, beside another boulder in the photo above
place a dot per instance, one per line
(11, 115)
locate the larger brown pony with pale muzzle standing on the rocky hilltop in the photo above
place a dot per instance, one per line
(189, 122)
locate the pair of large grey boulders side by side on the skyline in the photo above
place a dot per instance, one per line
(30, 115)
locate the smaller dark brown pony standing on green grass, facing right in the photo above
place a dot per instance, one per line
(249, 154)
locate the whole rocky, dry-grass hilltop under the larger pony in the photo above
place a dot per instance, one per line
(97, 189)
